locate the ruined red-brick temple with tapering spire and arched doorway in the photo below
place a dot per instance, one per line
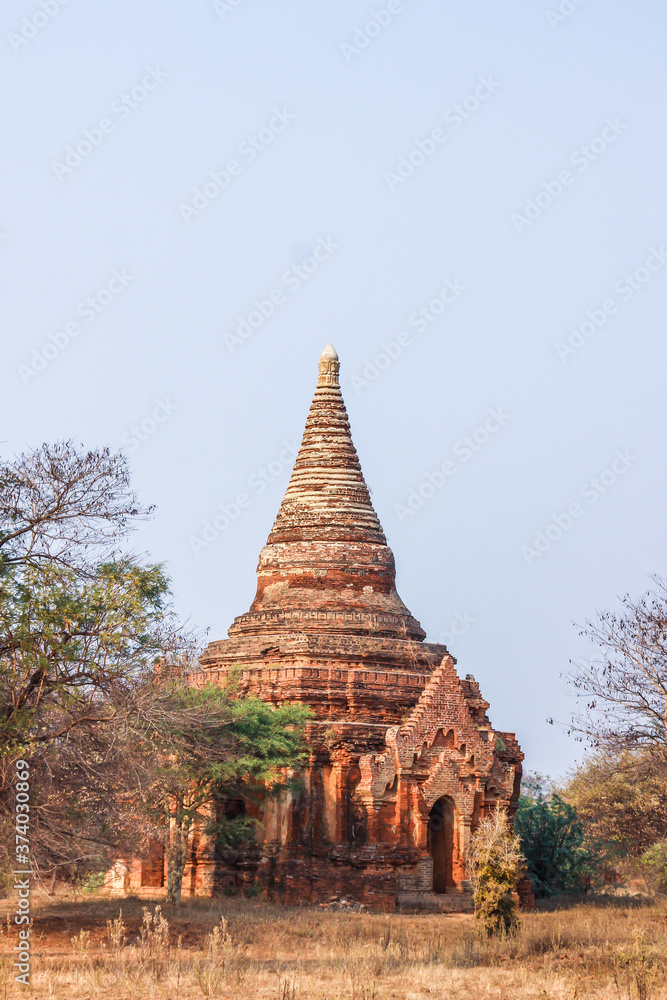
(404, 762)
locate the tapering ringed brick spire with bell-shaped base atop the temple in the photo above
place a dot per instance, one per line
(326, 565)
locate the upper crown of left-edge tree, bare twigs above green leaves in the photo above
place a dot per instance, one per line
(78, 620)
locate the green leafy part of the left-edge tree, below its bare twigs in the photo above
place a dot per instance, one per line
(68, 642)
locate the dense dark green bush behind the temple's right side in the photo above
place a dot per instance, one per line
(553, 844)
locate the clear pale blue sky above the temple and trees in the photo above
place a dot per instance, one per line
(333, 126)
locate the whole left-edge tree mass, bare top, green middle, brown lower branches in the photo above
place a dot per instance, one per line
(81, 624)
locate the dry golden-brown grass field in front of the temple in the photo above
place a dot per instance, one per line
(234, 948)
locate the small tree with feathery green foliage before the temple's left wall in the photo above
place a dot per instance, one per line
(212, 746)
